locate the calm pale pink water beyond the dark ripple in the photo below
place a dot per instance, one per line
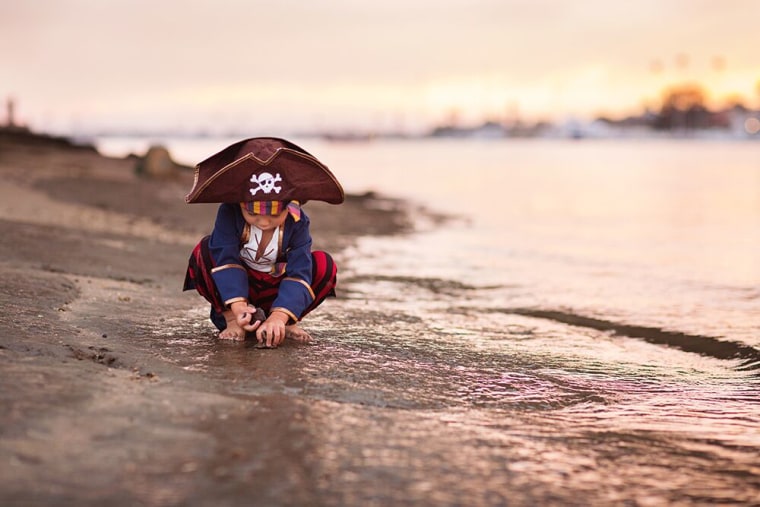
(651, 233)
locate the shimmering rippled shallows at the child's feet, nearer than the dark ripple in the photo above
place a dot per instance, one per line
(422, 405)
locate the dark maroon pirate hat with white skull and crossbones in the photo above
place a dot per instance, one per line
(264, 169)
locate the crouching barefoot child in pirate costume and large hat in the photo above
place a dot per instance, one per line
(258, 256)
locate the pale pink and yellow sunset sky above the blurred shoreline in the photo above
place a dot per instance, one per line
(354, 65)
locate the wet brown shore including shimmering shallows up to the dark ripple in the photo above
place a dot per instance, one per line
(416, 391)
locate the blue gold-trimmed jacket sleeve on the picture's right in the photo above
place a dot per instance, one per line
(296, 294)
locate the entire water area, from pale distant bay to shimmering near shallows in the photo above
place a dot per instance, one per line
(585, 329)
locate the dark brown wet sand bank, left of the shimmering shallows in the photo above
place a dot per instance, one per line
(95, 408)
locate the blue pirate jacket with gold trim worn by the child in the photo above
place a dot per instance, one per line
(230, 276)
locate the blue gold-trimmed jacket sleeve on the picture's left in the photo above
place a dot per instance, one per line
(229, 274)
